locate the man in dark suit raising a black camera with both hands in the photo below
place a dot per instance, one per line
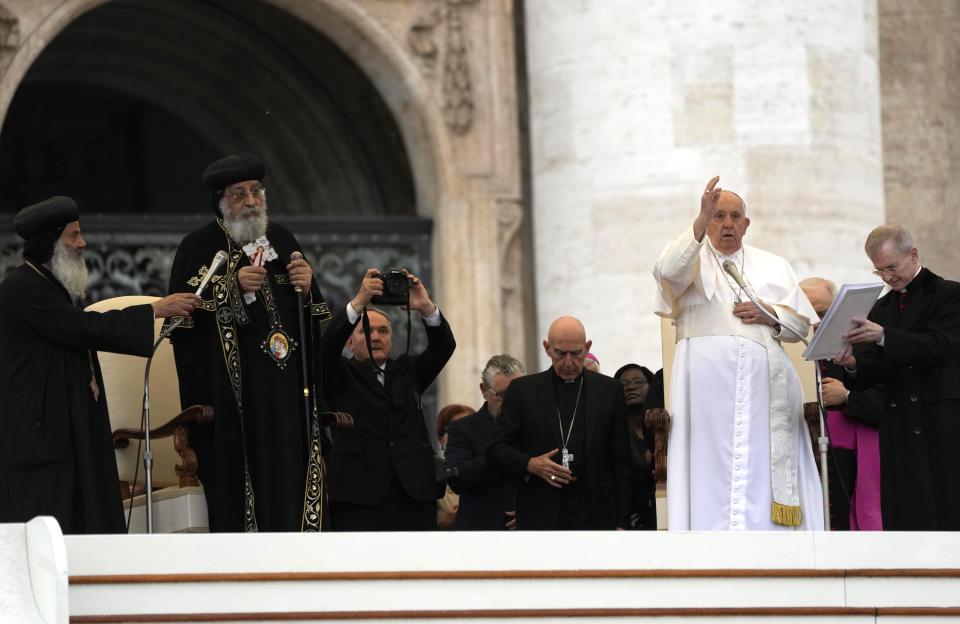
(381, 473)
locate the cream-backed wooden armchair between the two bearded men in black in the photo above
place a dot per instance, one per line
(179, 502)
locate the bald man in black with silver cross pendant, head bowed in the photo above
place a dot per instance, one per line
(564, 433)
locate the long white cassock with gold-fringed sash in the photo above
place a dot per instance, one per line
(719, 474)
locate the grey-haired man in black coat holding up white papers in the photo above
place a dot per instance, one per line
(910, 345)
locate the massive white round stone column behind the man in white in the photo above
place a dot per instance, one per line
(633, 110)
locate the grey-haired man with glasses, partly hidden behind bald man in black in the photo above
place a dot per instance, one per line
(486, 496)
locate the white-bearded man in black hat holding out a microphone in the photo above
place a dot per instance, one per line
(56, 452)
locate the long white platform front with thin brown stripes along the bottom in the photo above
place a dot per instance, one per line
(517, 576)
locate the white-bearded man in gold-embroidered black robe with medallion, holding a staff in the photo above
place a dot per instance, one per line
(241, 353)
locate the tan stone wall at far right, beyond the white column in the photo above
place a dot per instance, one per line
(919, 62)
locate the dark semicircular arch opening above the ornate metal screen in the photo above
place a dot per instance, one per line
(124, 108)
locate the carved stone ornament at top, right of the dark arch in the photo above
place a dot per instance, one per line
(456, 88)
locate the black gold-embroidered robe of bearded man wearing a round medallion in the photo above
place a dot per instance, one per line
(259, 427)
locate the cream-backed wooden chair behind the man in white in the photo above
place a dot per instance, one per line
(659, 419)
